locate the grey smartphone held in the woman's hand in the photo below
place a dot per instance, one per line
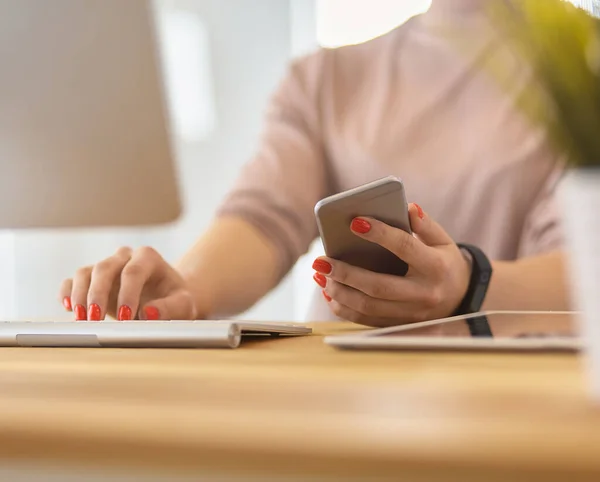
(384, 200)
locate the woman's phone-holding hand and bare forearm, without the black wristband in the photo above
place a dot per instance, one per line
(437, 279)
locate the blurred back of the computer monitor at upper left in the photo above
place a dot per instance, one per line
(84, 137)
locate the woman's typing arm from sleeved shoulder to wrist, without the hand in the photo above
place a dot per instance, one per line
(266, 222)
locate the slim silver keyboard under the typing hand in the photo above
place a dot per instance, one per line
(140, 334)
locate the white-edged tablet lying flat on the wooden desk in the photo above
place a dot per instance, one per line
(489, 330)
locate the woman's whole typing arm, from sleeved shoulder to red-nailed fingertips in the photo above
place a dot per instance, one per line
(261, 229)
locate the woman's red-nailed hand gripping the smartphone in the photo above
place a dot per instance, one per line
(436, 282)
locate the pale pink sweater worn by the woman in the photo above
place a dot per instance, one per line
(427, 102)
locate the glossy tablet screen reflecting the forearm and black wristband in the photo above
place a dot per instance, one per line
(496, 325)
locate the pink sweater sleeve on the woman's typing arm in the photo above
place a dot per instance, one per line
(277, 190)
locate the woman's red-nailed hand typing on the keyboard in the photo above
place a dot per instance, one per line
(129, 285)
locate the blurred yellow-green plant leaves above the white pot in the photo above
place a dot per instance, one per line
(562, 44)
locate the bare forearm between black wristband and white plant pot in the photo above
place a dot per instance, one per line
(530, 283)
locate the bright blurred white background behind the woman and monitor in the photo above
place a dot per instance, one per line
(222, 59)
